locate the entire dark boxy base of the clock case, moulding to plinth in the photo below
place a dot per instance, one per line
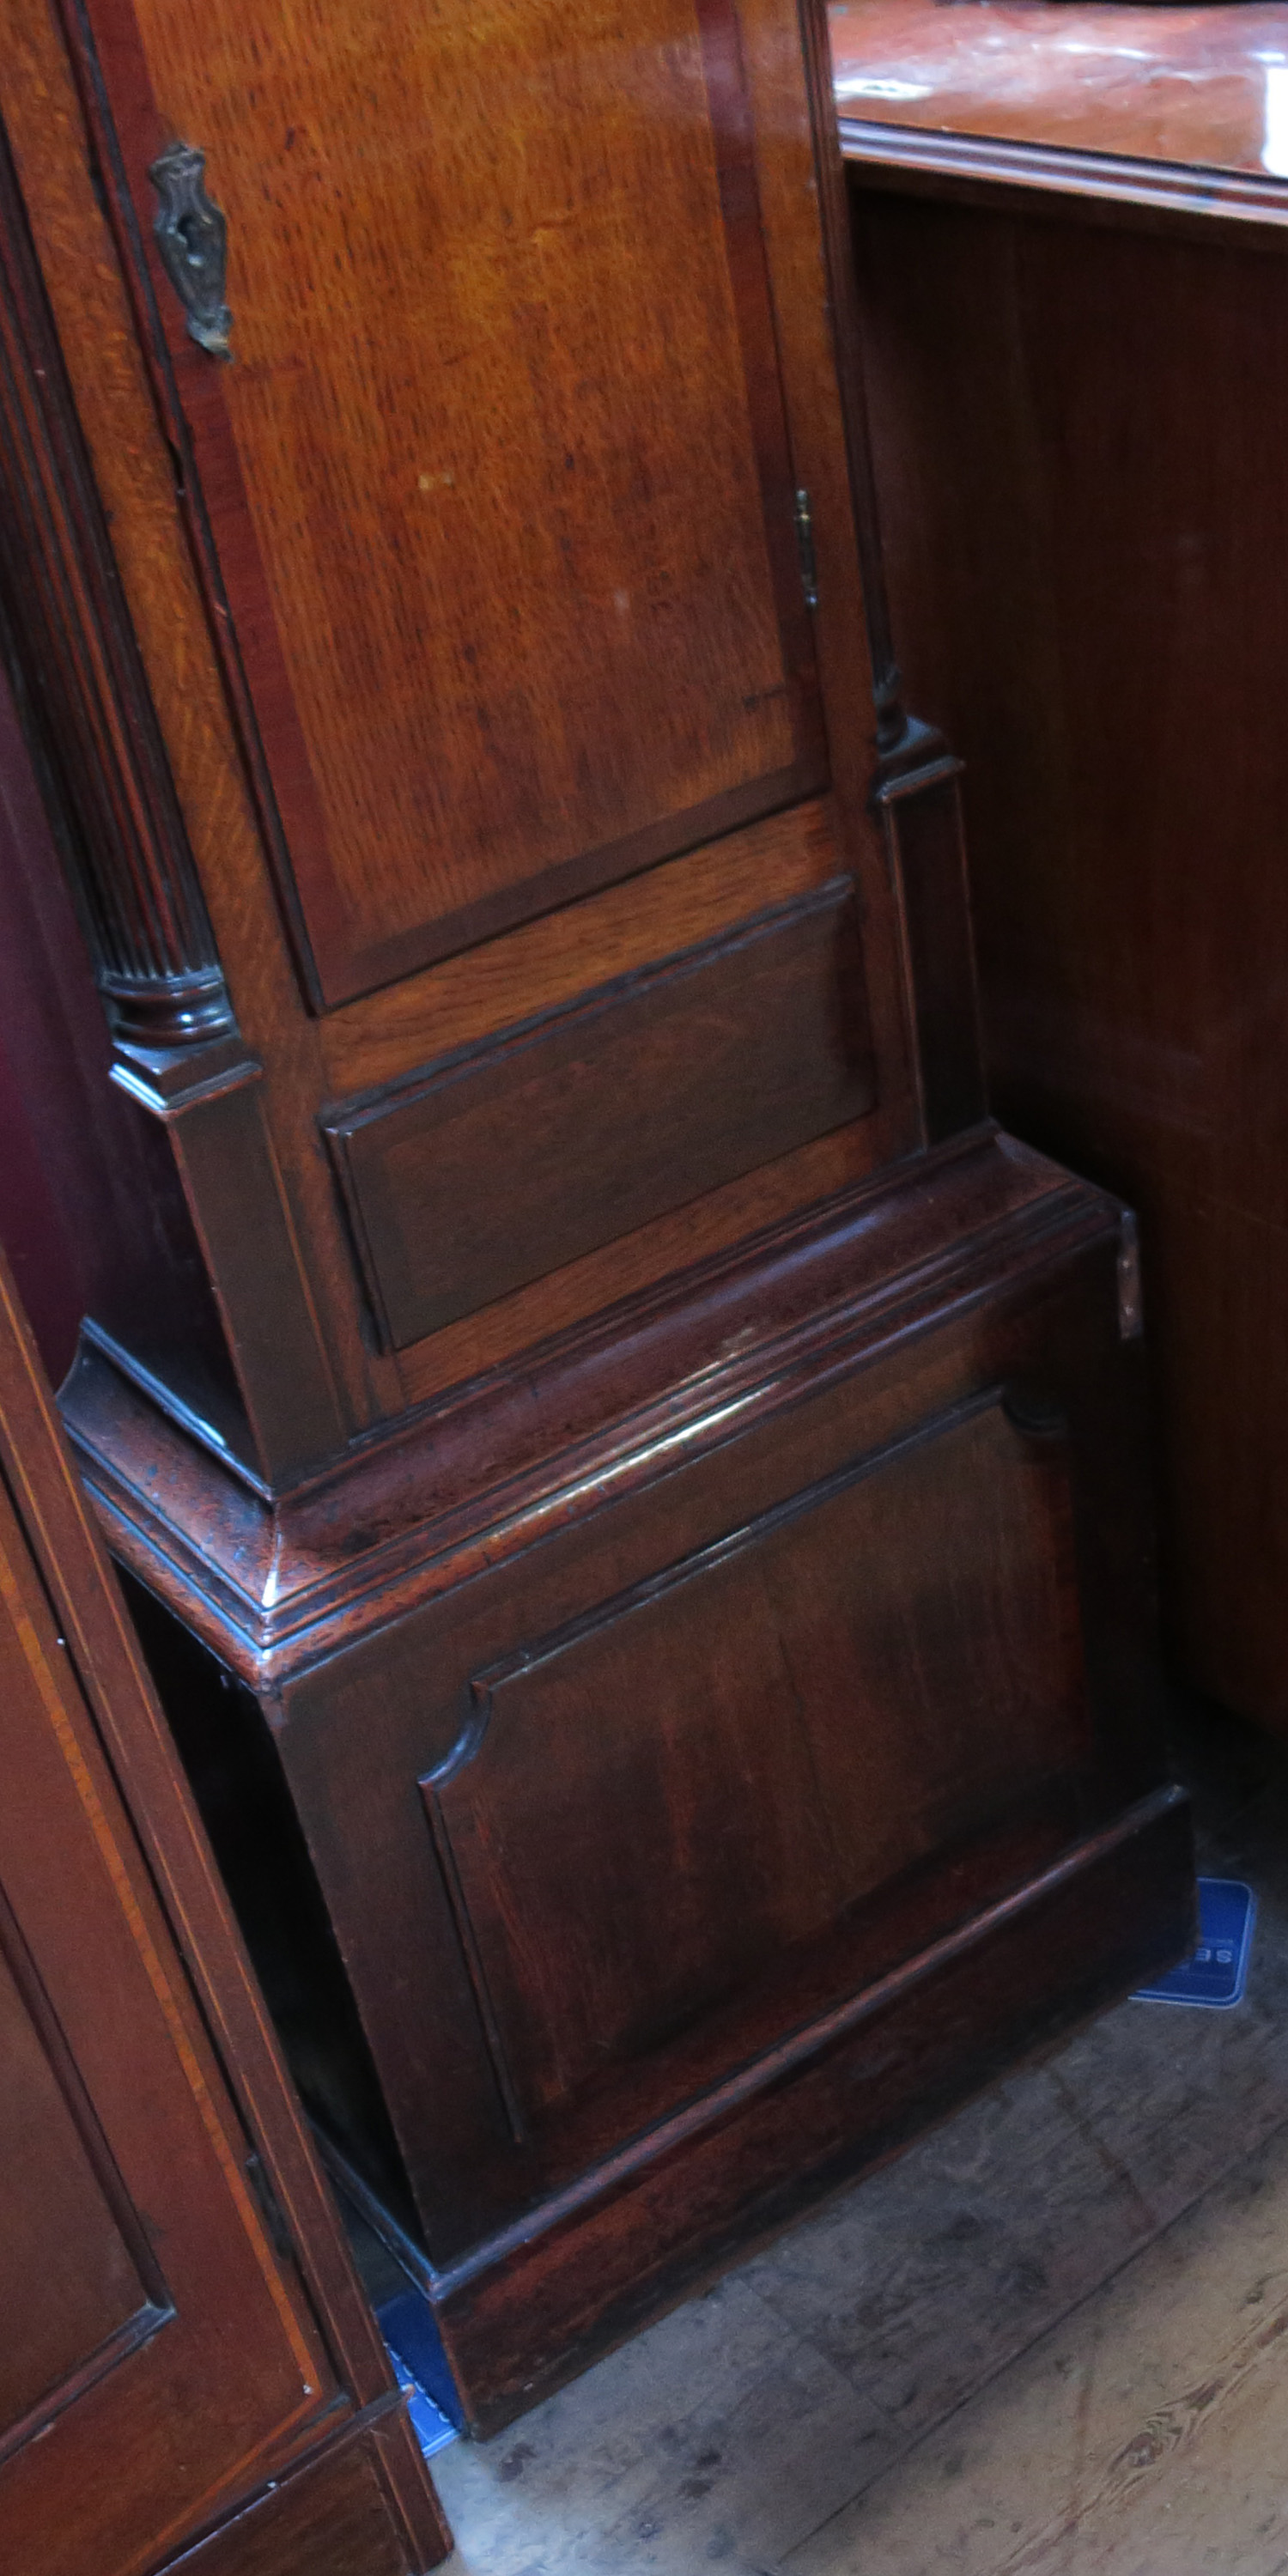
(898, 1452)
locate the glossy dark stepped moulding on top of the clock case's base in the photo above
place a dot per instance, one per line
(274, 1583)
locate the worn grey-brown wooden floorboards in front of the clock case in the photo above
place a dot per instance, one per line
(1055, 2338)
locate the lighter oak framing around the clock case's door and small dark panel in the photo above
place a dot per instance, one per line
(130, 455)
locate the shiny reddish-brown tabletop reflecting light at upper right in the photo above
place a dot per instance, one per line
(1153, 84)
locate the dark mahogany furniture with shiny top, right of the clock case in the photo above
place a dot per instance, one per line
(1078, 413)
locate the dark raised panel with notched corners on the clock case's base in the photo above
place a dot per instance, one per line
(638, 1823)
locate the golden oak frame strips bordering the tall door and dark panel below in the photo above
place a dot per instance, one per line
(135, 475)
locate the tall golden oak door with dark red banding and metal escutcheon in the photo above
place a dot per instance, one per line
(501, 478)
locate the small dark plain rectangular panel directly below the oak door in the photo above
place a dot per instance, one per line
(524, 1155)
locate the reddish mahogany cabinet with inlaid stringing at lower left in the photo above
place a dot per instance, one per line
(189, 2369)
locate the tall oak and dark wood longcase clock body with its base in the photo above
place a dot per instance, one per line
(769, 1387)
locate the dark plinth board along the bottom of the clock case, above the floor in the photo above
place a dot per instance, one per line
(1112, 1913)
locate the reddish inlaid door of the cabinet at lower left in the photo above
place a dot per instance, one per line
(153, 2343)
